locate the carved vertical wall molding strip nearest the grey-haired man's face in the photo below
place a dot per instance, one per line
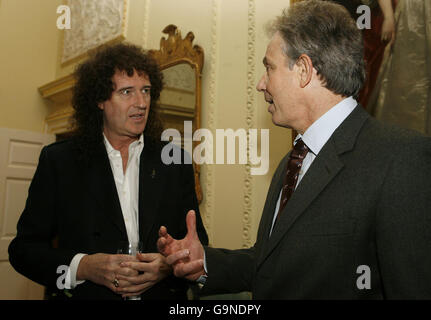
(250, 121)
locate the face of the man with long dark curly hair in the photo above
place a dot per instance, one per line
(125, 114)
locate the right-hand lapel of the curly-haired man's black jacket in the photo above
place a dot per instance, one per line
(151, 177)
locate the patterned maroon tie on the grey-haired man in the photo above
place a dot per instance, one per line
(294, 165)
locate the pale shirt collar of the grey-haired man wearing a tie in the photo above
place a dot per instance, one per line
(322, 129)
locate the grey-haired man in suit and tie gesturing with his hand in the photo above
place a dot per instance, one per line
(348, 211)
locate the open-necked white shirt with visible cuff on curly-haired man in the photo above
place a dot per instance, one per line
(127, 185)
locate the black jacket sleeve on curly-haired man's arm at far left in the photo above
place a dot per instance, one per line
(31, 252)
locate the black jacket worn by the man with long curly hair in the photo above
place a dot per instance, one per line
(77, 203)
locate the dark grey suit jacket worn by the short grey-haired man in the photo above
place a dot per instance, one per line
(365, 200)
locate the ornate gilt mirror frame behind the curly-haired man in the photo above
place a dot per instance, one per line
(174, 51)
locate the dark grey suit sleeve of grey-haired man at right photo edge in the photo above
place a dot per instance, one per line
(403, 223)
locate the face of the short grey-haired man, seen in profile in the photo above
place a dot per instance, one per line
(280, 86)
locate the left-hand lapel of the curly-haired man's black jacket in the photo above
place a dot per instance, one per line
(102, 186)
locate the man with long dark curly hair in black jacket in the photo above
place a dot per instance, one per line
(104, 186)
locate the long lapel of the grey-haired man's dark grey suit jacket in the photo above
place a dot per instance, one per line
(323, 169)
